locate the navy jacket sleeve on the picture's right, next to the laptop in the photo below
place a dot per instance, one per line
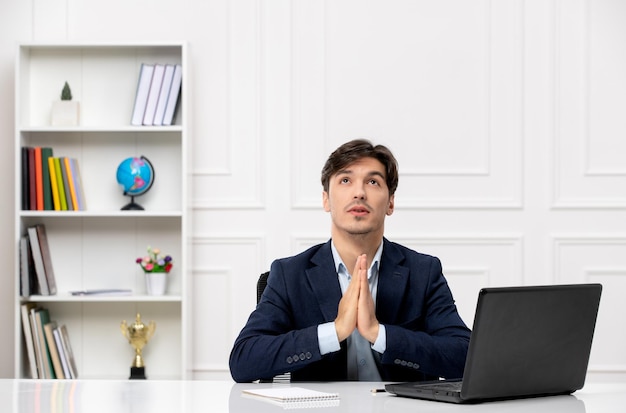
(431, 337)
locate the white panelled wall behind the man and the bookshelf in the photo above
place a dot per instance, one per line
(506, 117)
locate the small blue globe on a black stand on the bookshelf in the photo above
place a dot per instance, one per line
(136, 176)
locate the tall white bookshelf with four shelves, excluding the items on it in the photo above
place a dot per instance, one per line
(97, 247)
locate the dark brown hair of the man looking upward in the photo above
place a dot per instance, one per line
(357, 149)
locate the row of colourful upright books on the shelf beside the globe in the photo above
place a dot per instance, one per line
(50, 183)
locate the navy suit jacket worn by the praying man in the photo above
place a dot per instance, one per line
(426, 338)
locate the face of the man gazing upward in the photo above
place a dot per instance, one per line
(358, 198)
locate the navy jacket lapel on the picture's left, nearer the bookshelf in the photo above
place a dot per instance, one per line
(323, 280)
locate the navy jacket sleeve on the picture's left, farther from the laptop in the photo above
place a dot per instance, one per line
(271, 343)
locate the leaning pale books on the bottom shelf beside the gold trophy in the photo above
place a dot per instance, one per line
(48, 345)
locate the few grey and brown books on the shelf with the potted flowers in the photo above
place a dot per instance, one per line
(36, 272)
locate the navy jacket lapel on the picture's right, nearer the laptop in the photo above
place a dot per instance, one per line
(392, 280)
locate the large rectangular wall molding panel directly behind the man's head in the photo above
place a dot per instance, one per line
(484, 170)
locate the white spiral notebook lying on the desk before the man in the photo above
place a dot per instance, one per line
(293, 396)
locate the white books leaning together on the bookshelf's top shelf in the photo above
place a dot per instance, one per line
(157, 97)
